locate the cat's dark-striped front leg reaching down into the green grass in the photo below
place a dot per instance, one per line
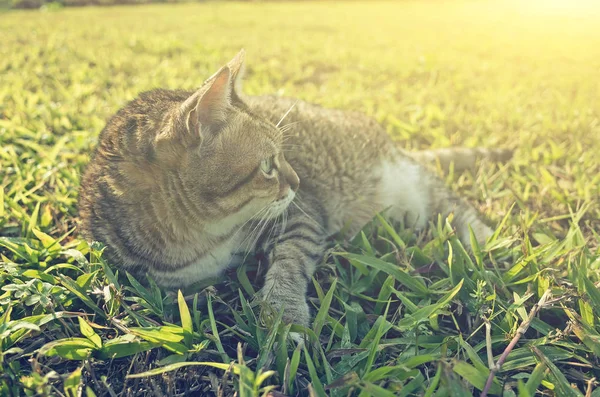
(293, 256)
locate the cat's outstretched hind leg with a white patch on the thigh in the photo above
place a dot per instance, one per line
(413, 194)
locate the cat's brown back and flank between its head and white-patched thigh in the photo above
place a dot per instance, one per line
(335, 153)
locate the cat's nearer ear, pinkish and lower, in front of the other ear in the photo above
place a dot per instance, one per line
(207, 106)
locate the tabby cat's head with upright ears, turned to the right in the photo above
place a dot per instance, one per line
(230, 161)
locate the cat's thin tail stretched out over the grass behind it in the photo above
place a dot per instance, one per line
(460, 158)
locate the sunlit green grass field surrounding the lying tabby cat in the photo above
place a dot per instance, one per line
(395, 314)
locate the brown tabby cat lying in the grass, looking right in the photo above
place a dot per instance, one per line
(182, 184)
